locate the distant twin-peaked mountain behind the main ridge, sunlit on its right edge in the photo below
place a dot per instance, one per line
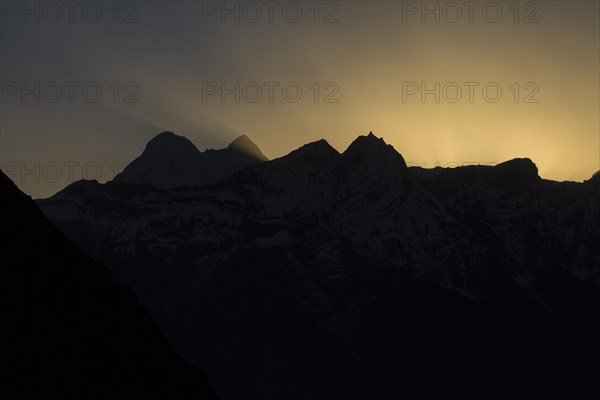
(170, 160)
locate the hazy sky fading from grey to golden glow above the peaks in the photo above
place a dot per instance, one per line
(86, 85)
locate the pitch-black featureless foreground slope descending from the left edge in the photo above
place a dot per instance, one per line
(71, 331)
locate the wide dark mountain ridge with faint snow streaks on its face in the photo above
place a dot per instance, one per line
(322, 275)
